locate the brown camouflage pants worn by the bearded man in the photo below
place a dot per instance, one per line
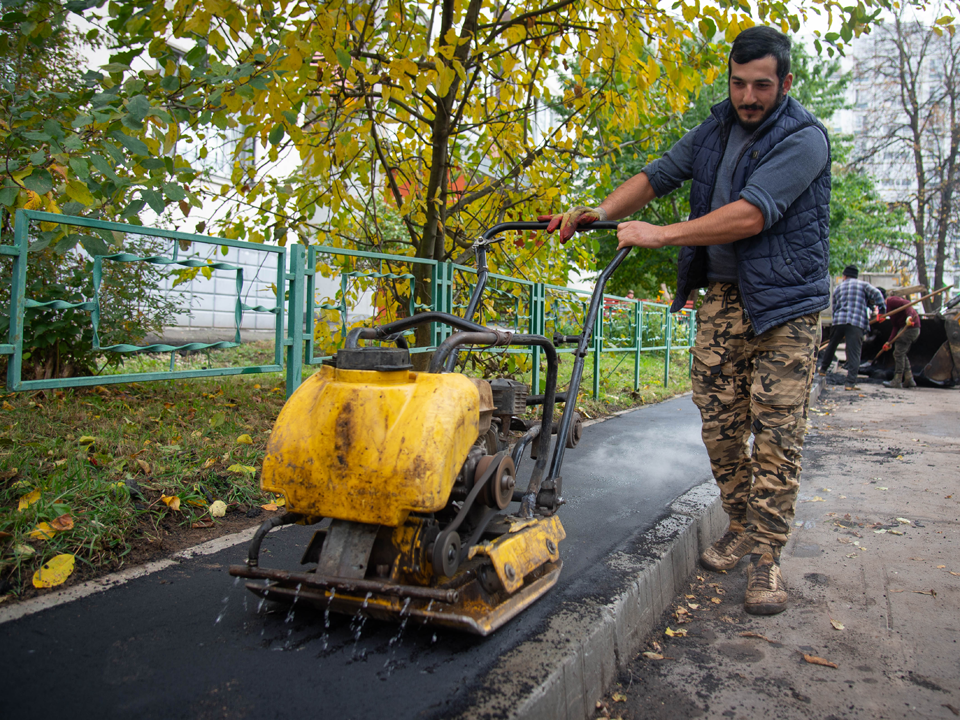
(747, 384)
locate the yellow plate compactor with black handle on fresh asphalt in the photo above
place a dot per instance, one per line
(409, 476)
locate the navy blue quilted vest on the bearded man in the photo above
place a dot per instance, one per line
(783, 269)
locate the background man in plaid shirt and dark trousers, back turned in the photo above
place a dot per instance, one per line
(852, 300)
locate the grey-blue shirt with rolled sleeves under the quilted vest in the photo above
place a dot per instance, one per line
(776, 182)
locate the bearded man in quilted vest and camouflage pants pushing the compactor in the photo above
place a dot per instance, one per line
(757, 240)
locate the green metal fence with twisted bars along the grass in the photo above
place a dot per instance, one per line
(625, 326)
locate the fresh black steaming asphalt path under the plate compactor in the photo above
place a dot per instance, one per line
(191, 642)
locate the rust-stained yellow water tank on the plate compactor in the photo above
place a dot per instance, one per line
(371, 446)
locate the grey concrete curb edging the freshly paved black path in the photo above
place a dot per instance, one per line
(563, 672)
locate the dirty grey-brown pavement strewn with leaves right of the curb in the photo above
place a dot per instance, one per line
(873, 568)
